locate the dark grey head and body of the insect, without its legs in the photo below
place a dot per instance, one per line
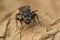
(25, 10)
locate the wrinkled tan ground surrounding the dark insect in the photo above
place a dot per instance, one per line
(49, 16)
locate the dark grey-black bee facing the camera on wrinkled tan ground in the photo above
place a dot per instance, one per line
(26, 14)
